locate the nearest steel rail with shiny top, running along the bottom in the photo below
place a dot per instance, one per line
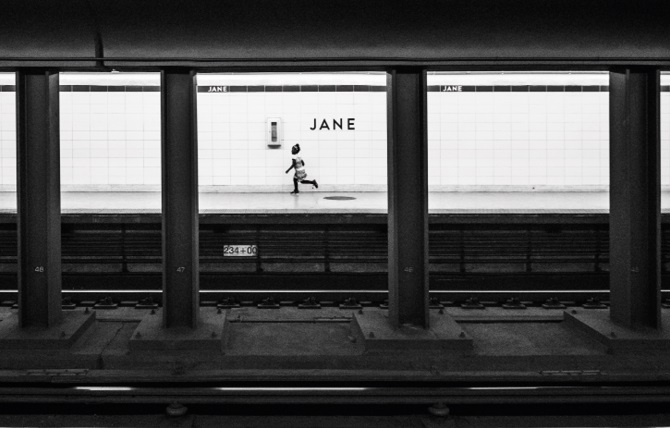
(335, 395)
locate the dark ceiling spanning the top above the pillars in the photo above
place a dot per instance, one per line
(132, 31)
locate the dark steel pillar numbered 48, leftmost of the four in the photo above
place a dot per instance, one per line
(38, 193)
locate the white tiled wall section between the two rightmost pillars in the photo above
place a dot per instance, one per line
(525, 139)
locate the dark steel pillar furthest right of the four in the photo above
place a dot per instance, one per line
(635, 192)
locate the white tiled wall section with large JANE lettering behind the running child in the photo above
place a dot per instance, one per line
(232, 143)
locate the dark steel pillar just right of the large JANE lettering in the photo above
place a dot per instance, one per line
(407, 197)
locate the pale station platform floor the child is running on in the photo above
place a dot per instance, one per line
(325, 202)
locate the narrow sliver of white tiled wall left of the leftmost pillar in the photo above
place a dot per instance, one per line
(7, 135)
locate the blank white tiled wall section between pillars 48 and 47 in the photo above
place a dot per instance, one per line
(110, 140)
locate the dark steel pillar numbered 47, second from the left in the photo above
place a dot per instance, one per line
(180, 199)
